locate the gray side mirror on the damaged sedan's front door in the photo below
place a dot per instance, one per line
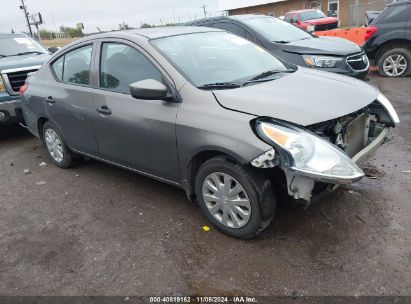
(149, 89)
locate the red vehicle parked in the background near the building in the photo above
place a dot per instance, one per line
(312, 20)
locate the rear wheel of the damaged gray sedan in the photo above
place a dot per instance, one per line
(60, 155)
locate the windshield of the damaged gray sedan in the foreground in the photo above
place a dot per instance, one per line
(216, 57)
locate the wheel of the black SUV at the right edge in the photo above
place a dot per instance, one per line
(404, 58)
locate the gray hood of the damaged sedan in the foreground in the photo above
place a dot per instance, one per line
(304, 97)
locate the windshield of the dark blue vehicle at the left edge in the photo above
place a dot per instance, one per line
(14, 45)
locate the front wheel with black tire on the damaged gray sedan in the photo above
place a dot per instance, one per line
(254, 217)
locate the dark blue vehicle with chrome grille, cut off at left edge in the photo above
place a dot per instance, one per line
(19, 56)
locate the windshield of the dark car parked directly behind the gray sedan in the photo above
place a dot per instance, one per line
(277, 30)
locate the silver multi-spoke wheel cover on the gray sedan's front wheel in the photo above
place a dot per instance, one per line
(226, 200)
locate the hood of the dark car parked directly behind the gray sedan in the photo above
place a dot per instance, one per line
(322, 46)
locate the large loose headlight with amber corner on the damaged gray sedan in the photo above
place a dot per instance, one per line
(306, 154)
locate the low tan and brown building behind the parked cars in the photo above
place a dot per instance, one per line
(350, 12)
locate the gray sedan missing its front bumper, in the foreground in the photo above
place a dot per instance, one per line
(209, 112)
